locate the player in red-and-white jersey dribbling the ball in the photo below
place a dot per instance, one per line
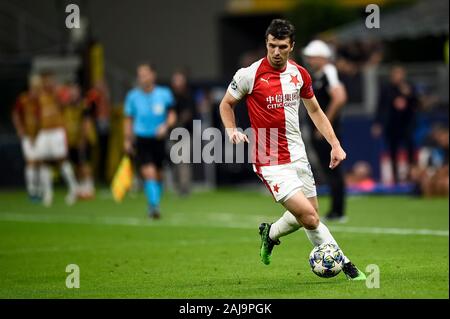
(274, 86)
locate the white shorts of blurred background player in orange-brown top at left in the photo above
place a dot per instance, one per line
(51, 144)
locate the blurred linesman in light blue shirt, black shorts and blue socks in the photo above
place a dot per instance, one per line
(149, 115)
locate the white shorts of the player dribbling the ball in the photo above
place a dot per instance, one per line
(283, 181)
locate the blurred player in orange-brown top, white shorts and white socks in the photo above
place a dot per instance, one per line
(51, 142)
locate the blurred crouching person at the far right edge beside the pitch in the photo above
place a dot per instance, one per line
(431, 172)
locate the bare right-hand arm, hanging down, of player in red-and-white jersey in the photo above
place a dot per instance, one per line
(322, 123)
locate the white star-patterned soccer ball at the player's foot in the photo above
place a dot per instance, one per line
(326, 260)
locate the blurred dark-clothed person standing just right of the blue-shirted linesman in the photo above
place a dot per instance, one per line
(185, 108)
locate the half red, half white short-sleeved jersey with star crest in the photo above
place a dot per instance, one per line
(273, 100)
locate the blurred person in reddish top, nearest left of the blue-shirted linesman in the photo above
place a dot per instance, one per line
(98, 101)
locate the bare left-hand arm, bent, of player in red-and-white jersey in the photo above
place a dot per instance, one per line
(229, 121)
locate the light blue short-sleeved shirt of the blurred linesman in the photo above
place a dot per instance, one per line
(148, 110)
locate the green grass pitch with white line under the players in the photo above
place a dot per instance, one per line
(206, 246)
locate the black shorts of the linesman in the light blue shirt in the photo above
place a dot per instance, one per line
(150, 151)
